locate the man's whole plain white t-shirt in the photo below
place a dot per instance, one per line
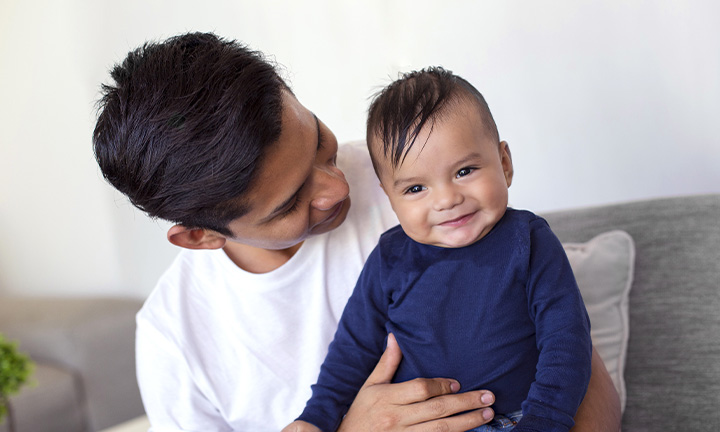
(221, 349)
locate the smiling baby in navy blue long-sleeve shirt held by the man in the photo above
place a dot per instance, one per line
(470, 289)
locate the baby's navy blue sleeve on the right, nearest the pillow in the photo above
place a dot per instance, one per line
(563, 336)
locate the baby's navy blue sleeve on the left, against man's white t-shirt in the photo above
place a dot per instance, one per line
(358, 344)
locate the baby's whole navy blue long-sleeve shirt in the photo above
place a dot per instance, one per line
(503, 314)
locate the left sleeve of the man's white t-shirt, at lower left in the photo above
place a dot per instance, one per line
(172, 400)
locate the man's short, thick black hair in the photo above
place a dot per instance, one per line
(185, 126)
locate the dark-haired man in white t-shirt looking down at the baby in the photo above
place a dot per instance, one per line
(203, 132)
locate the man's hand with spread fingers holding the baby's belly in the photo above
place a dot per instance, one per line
(418, 405)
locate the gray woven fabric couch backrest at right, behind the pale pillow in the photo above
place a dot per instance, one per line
(672, 371)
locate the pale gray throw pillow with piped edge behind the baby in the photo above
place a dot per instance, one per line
(603, 269)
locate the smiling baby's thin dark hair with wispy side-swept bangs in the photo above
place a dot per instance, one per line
(399, 112)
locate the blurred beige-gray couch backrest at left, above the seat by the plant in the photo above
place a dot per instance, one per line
(94, 337)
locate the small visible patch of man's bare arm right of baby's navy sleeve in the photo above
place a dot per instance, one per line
(600, 409)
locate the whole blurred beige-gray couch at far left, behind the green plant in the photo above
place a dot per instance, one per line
(84, 352)
